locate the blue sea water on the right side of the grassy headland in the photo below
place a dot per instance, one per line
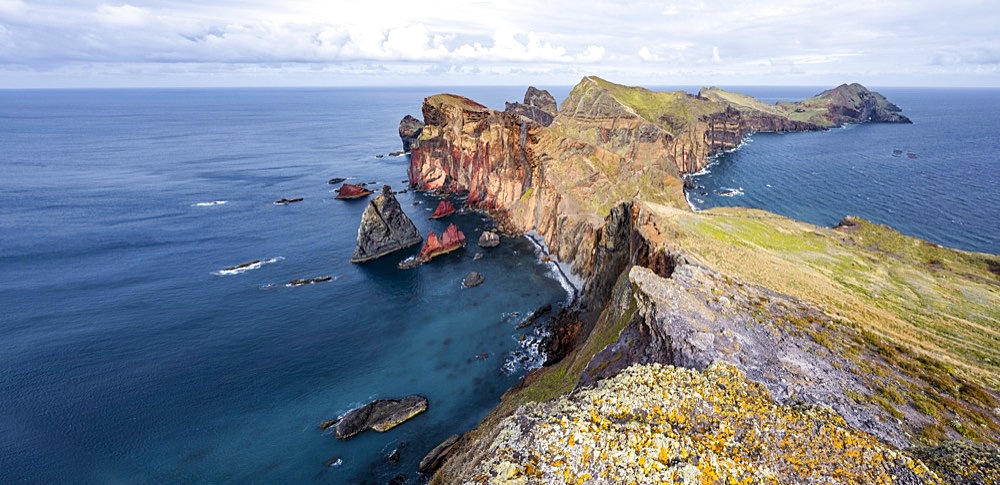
(947, 194)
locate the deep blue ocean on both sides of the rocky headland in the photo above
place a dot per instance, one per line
(127, 355)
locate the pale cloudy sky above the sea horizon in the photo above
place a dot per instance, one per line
(143, 43)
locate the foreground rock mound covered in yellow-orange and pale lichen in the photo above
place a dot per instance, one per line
(661, 424)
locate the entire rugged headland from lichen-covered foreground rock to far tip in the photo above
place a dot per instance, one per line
(720, 345)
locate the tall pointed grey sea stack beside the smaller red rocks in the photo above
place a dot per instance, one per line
(384, 228)
